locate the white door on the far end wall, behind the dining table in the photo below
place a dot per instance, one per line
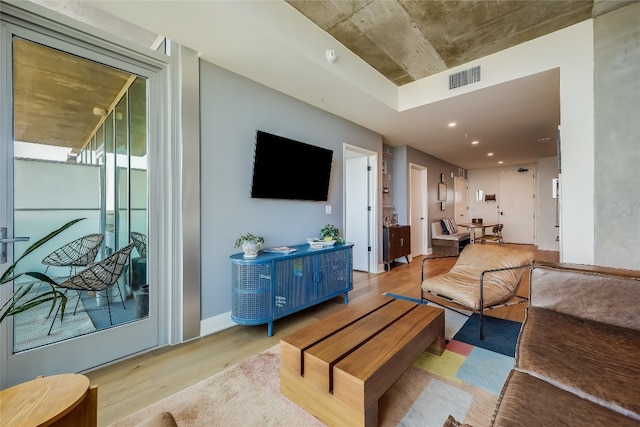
(516, 207)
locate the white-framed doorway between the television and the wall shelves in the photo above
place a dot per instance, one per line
(359, 201)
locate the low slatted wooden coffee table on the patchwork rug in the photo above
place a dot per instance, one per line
(338, 367)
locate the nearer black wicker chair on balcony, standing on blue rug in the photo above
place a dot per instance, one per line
(98, 277)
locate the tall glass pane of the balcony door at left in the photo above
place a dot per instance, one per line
(91, 164)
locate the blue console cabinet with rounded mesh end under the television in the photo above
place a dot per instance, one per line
(274, 285)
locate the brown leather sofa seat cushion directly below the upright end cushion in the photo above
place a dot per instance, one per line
(594, 360)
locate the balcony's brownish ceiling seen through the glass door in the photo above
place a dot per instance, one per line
(55, 94)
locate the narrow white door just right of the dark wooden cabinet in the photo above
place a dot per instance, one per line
(418, 200)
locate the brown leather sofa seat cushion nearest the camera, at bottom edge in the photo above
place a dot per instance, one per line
(528, 401)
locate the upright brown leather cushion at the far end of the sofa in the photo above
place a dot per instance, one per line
(597, 293)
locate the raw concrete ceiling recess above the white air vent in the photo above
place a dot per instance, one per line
(407, 40)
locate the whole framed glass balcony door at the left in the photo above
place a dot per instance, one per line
(75, 144)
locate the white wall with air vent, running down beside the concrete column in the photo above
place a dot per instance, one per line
(570, 50)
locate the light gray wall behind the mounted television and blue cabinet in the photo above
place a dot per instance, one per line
(232, 109)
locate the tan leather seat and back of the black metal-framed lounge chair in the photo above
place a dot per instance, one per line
(462, 283)
